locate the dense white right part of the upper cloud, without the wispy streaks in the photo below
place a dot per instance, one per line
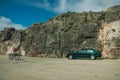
(84, 5)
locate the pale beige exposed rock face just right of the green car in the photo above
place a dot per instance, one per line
(110, 39)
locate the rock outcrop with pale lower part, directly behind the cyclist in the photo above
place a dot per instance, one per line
(10, 38)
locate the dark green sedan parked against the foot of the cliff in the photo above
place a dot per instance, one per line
(90, 53)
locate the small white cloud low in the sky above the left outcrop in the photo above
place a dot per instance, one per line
(6, 22)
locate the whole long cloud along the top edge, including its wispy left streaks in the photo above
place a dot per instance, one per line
(61, 6)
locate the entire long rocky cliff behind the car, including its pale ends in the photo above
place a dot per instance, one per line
(67, 32)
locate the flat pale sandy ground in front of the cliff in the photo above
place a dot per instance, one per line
(58, 69)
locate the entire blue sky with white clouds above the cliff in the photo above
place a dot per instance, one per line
(21, 14)
